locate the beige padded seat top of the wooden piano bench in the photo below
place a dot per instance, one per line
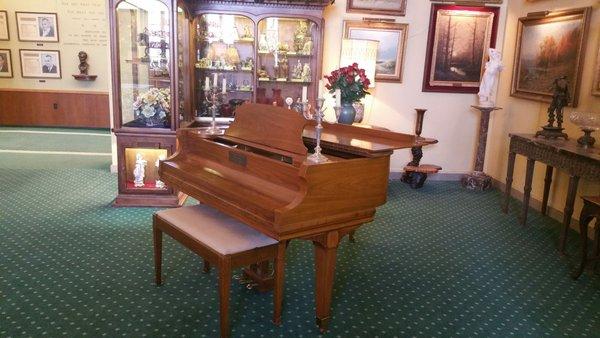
(214, 229)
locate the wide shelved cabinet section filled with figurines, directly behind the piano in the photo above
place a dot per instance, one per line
(263, 52)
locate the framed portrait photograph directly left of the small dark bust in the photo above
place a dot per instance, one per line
(40, 64)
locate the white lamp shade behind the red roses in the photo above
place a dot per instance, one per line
(363, 52)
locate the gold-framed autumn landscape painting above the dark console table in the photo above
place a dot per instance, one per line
(549, 45)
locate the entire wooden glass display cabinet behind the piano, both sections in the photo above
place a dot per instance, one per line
(167, 54)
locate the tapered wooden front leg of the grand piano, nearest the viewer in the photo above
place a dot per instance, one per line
(325, 252)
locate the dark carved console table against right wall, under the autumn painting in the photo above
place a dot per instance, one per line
(563, 155)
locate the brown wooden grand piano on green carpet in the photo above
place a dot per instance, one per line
(257, 172)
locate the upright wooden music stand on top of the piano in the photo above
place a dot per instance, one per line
(270, 126)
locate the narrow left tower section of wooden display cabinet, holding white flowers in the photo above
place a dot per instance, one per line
(149, 94)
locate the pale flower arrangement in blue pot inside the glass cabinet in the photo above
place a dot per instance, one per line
(151, 109)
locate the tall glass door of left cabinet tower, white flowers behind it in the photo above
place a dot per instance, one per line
(144, 63)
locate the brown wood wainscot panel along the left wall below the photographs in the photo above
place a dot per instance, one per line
(54, 108)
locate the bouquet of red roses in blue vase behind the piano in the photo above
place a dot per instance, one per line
(349, 84)
